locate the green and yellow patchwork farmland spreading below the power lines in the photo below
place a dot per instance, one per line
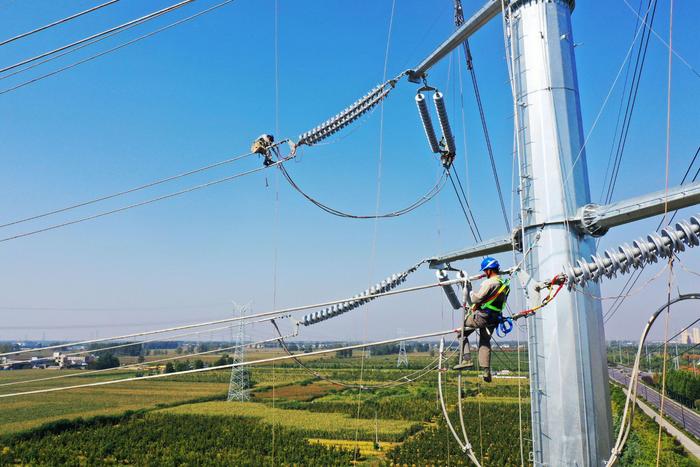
(293, 417)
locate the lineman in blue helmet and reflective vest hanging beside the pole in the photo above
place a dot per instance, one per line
(484, 314)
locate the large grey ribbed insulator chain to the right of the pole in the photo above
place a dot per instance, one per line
(663, 245)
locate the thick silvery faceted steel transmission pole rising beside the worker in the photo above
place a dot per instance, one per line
(568, 365)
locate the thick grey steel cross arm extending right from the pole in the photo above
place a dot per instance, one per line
(596, 220)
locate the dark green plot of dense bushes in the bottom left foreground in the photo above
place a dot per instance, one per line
(166, 439)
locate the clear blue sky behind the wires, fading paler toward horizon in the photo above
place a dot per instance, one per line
(202, 91)
